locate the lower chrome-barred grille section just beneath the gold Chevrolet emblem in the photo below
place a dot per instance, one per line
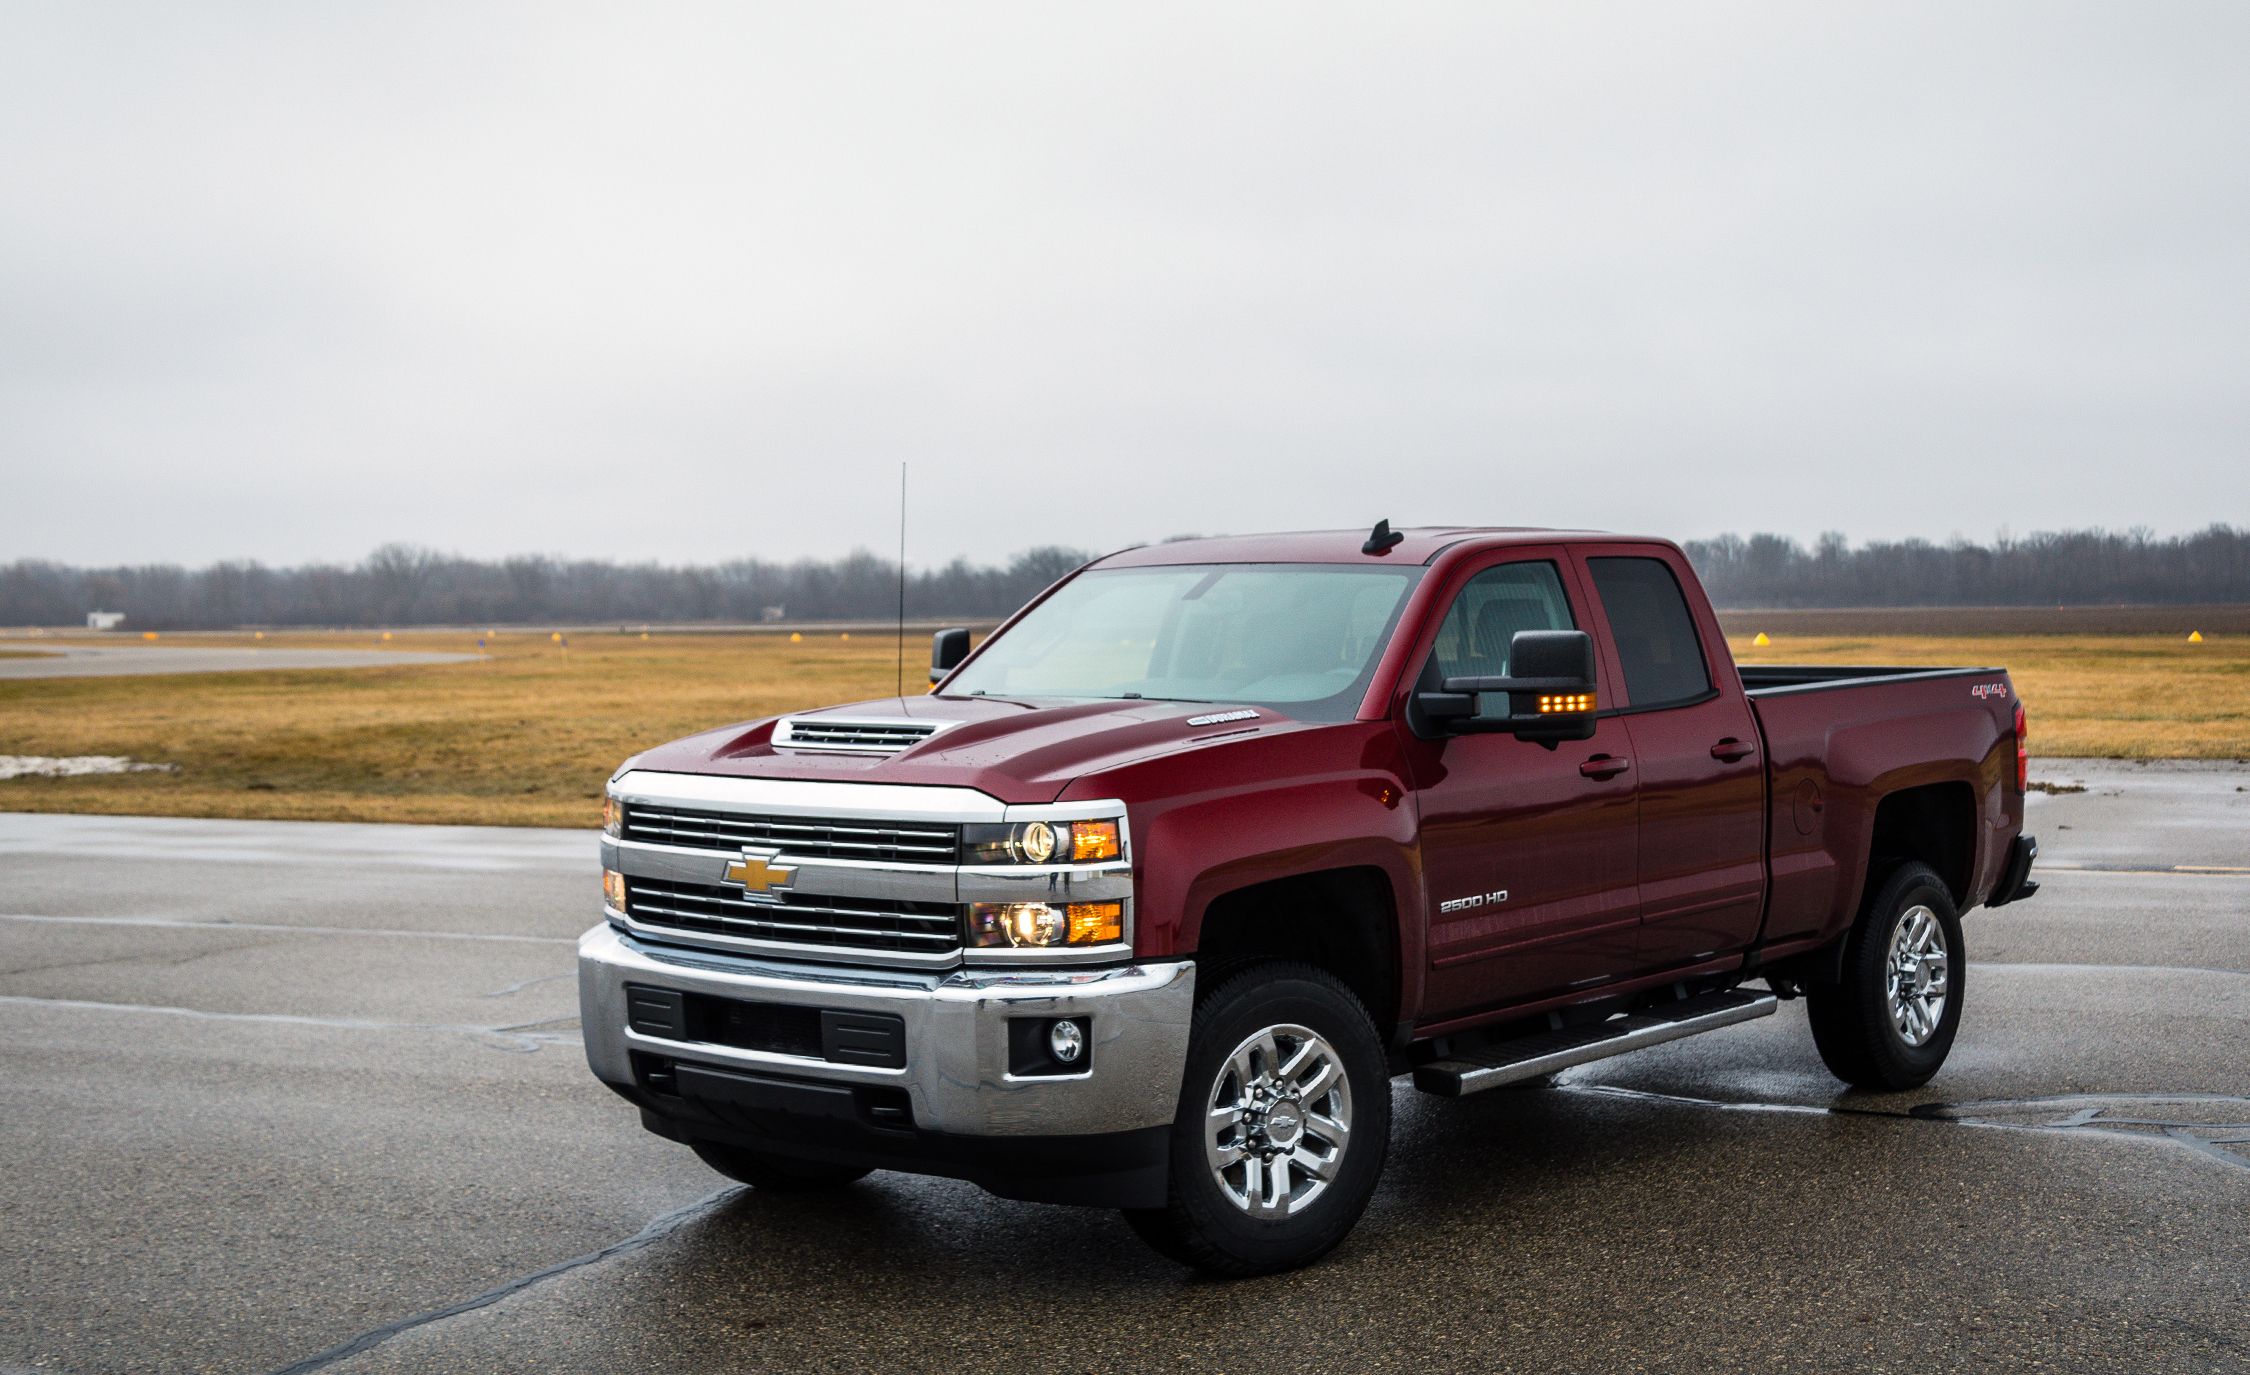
(856, 924)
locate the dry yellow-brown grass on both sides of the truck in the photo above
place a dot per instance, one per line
(528, 735)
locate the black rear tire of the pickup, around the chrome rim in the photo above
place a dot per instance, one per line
(1853, 1018)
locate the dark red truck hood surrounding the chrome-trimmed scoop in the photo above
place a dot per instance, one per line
(1020, 751)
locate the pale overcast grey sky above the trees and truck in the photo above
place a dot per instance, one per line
(687, 282)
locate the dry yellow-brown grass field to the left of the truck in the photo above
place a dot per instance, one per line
(521, 739)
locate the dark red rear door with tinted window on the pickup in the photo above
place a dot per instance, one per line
(1702, 863)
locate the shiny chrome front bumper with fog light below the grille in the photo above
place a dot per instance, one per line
(955, 1034)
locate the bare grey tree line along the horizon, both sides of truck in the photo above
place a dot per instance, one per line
(408, 586)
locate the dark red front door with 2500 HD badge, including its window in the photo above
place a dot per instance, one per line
(1527, 850)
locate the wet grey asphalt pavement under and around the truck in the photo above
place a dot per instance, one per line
(312, 1097)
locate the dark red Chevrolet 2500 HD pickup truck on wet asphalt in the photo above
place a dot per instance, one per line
(1158, 890)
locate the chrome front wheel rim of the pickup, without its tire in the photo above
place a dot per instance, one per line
(1279, 1122)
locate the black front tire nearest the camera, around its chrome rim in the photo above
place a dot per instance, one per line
(1203, 1221)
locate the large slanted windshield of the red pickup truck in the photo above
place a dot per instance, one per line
(1297, 636)
